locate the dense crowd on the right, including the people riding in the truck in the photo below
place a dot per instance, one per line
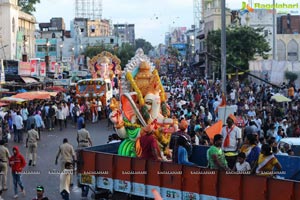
(249, 137)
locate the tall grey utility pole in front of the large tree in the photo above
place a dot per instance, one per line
(223, 45)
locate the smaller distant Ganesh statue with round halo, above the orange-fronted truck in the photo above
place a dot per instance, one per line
(104, 65)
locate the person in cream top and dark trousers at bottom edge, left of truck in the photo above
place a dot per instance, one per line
(65, 180)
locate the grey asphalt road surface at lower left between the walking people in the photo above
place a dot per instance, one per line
(41, 174)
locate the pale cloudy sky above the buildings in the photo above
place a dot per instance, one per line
(152, 18)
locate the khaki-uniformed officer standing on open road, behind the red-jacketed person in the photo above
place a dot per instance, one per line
(31, 144)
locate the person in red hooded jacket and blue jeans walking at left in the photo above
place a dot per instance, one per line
(17, 164)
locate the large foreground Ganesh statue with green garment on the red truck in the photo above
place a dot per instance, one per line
(142, 103)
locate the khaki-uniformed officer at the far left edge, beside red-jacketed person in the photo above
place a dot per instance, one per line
(4, 156)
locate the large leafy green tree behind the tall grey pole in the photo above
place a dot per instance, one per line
(242, 45)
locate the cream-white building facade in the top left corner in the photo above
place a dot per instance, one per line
(16, 31)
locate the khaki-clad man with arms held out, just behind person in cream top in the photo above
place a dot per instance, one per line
(66, 153)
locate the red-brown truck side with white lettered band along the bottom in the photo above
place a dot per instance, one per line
(173, 181)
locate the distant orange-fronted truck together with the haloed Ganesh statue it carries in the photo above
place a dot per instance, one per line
(104, 68)
